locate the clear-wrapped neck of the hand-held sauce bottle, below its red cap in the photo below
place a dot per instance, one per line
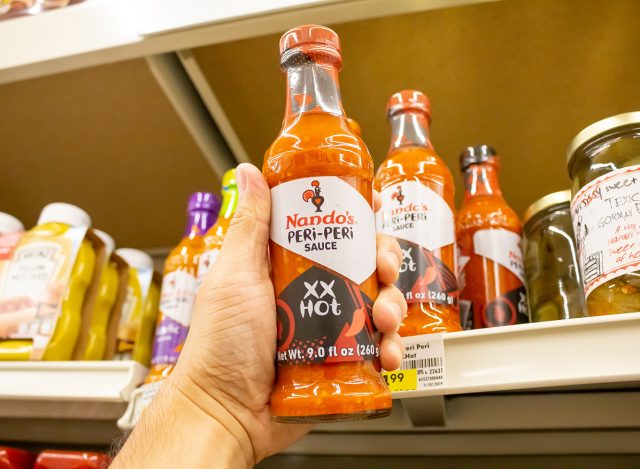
(313, 87)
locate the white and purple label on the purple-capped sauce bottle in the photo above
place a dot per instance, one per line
(177, 299)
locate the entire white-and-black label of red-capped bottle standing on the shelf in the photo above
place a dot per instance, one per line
(423, 223)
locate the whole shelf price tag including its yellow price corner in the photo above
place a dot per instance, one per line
(423, 365)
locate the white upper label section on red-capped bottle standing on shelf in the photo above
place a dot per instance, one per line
(412, 211)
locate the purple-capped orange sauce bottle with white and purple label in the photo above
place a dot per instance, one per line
(178, 293)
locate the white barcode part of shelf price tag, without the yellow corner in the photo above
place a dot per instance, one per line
(425, 353)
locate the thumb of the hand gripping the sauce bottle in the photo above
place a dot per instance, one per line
(246, 241)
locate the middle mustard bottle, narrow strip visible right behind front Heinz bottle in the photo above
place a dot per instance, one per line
(106, 297)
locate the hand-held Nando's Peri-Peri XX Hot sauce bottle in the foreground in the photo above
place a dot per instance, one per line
(323, 245)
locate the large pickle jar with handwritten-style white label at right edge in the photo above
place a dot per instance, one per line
(604, 166)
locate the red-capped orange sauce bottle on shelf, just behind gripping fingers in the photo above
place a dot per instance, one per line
(417, 189)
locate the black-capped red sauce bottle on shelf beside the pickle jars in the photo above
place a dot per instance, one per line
(489, 236)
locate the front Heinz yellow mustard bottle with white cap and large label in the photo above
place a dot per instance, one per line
(53, 241)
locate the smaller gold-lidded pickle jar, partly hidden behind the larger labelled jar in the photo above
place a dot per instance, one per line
(551, 263)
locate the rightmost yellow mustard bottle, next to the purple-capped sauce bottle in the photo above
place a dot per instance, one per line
(138, 289)
